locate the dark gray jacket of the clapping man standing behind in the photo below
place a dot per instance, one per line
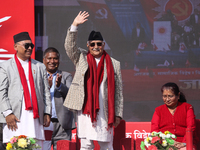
(65, 116)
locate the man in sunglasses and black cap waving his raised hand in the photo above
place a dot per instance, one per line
(96, 89)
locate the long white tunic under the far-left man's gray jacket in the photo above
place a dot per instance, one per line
(28, 125)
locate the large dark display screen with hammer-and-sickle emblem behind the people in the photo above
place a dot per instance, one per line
(156, 41)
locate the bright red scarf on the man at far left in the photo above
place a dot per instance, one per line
(26, 90)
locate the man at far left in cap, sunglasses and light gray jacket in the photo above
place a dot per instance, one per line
(24, 93)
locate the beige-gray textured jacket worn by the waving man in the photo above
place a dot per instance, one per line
(76, 94)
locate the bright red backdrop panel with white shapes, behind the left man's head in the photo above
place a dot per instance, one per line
(16, 16)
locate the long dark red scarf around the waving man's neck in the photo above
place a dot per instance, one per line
(94, 77)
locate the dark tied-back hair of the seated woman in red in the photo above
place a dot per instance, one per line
(174, 87)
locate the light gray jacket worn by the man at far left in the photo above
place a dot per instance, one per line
(11, 90)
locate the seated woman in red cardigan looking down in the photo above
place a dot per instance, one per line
(174, 116)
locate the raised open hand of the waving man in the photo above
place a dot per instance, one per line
(80, 18)
